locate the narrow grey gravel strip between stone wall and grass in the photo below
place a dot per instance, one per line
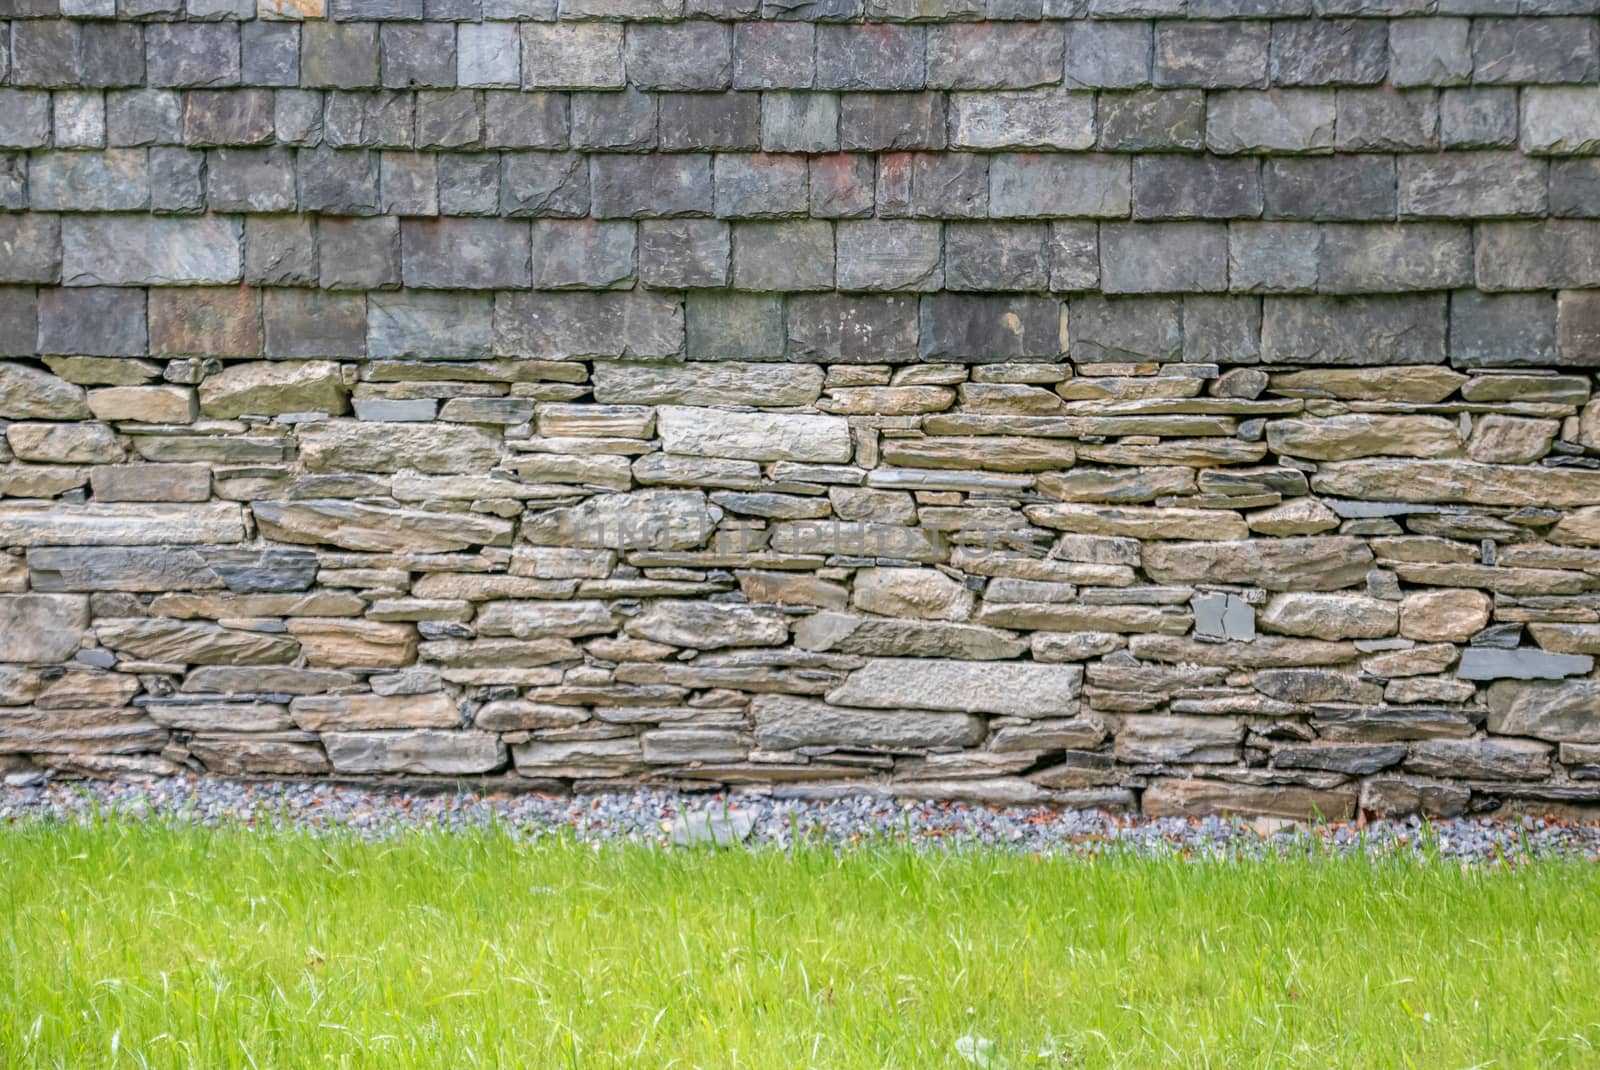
(666, 818)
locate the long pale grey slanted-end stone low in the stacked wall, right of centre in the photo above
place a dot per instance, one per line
(1020, 690)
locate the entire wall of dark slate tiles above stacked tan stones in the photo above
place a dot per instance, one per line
(1130, 404)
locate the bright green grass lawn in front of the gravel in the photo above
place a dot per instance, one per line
(132, 946)
